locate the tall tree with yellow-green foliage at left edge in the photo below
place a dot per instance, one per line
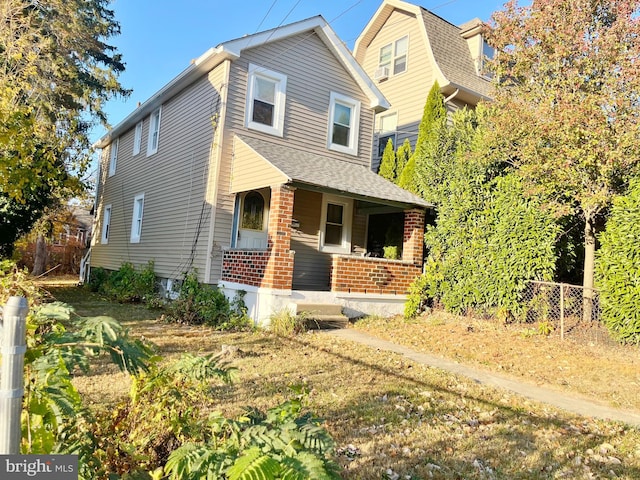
(56, 72)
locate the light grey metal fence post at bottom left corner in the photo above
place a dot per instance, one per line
(12, 373)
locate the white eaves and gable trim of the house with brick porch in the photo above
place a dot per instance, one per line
(231, 50)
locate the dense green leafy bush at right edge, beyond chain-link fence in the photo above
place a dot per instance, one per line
(618, 268)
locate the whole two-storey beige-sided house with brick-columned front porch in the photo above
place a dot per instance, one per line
(253, 168)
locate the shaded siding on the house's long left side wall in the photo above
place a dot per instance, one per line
(174, 184)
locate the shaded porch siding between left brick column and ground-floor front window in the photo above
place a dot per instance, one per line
(312, 269)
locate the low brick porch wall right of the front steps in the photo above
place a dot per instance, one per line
(372, 275)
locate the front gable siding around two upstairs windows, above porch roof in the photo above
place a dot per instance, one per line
(312, 74)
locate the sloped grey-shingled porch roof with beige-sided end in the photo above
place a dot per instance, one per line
(313, 171)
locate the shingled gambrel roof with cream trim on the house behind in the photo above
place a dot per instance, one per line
(448, 49)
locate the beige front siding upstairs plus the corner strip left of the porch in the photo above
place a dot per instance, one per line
(312, 74)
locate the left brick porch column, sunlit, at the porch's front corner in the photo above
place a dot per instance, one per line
(279, 271)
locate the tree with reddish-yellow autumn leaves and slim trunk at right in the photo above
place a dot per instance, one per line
(567, 92)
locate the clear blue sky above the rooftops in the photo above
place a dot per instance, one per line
(158, 39)
